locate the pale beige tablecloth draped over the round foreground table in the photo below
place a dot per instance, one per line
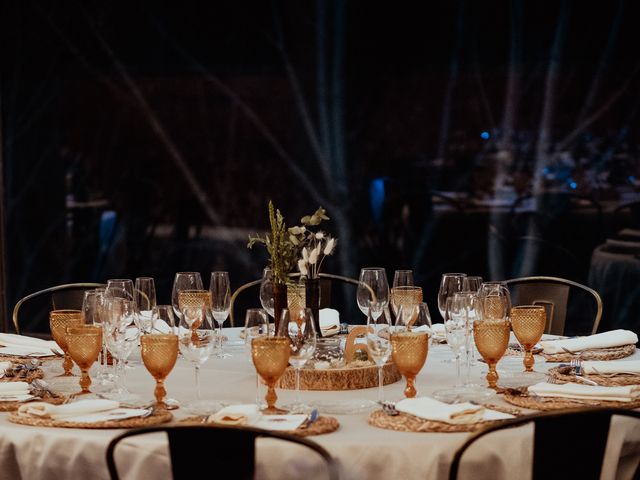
(361, 450)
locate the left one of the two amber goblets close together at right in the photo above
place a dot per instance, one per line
(492, 338)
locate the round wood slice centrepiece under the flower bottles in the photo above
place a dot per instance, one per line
(339, 378)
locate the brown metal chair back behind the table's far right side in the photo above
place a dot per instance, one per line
(553, 294)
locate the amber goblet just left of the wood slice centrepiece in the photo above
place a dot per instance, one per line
(270, 356)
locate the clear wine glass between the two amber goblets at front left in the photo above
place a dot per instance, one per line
(197, 336)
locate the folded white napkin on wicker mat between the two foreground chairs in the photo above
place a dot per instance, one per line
(431, 409)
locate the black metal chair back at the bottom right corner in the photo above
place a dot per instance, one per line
(567, 444)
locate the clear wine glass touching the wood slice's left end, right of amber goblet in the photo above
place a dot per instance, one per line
(298, 325)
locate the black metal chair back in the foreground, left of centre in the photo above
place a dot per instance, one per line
(234, 446)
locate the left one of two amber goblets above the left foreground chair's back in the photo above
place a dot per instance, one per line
(159, 353)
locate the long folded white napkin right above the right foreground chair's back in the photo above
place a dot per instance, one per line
(586, 392)
